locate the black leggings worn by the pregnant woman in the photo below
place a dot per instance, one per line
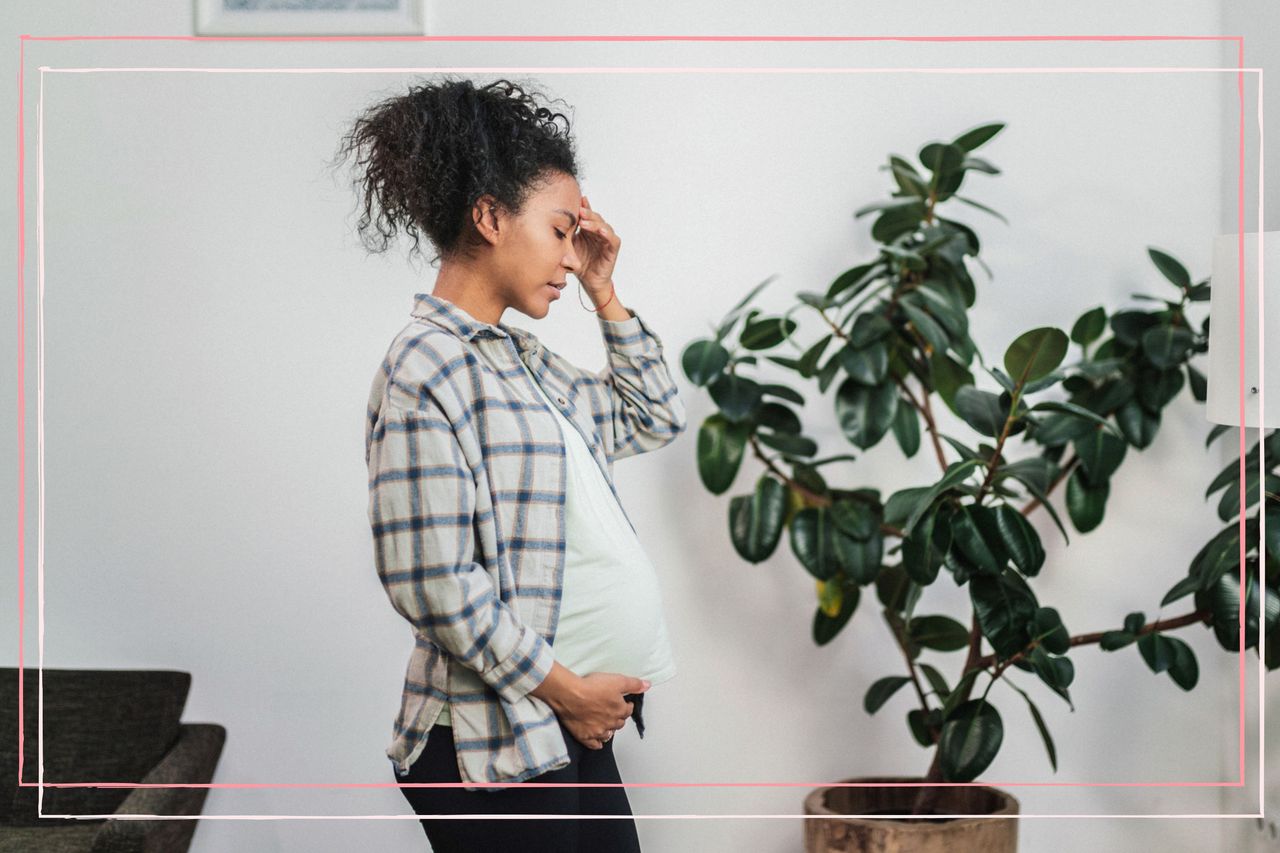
(438, 764)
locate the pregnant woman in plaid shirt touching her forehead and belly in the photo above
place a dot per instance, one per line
(499, 533)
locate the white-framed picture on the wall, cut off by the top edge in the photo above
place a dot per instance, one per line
(310, 17)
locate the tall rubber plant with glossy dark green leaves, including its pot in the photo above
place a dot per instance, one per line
(1058, 418)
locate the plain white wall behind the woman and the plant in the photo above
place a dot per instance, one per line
(212, 329)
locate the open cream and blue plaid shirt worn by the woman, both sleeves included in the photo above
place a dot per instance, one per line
(467, 503)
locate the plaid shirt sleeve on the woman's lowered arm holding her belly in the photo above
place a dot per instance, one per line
(422, 509)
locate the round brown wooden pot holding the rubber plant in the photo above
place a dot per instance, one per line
(924, 834)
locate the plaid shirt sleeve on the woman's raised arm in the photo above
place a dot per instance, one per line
(647, 412)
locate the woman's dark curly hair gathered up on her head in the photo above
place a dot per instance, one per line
(428, 156)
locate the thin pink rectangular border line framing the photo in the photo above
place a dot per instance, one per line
(1240, 70)
